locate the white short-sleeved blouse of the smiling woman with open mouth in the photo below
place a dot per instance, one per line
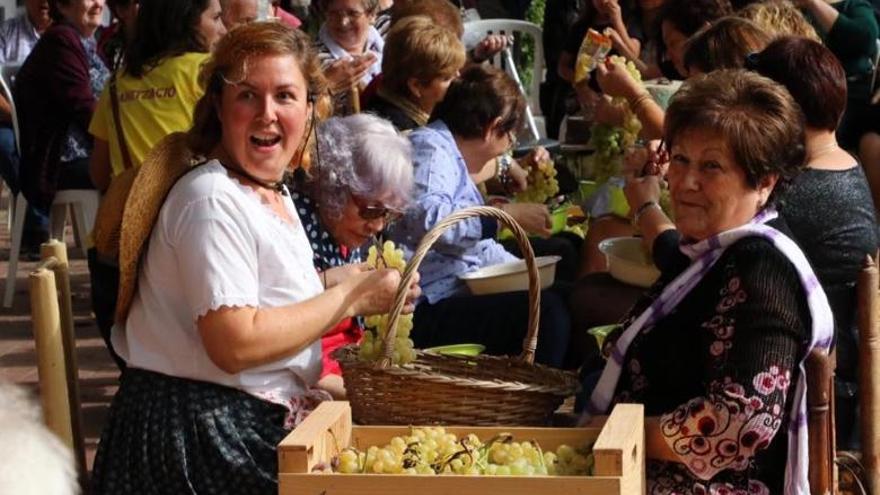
(215, 244)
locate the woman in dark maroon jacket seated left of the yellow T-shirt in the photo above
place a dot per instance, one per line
(55, 92)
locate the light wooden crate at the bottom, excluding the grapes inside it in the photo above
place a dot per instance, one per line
(619, 453)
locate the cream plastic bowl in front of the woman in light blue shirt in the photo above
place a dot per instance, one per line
(510, 277)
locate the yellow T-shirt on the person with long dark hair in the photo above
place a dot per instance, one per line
(150, 107)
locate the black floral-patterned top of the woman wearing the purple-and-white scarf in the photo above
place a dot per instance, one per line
(720, 370)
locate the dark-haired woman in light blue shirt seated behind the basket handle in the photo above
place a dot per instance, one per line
(482, 110)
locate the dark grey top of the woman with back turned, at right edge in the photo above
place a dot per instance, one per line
(831, 215)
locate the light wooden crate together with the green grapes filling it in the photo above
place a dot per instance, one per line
(328, 455)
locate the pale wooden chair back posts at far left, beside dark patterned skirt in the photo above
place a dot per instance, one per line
(52, 316)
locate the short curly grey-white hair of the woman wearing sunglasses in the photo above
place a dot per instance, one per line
(363, 155)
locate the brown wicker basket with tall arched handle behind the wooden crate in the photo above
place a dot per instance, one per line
(440, 389)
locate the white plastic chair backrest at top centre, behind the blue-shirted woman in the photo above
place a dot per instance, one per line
(477, 30)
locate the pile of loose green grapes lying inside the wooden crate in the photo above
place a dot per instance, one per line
(435, 451)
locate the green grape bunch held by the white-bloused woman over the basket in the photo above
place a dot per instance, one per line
(377, 325)
